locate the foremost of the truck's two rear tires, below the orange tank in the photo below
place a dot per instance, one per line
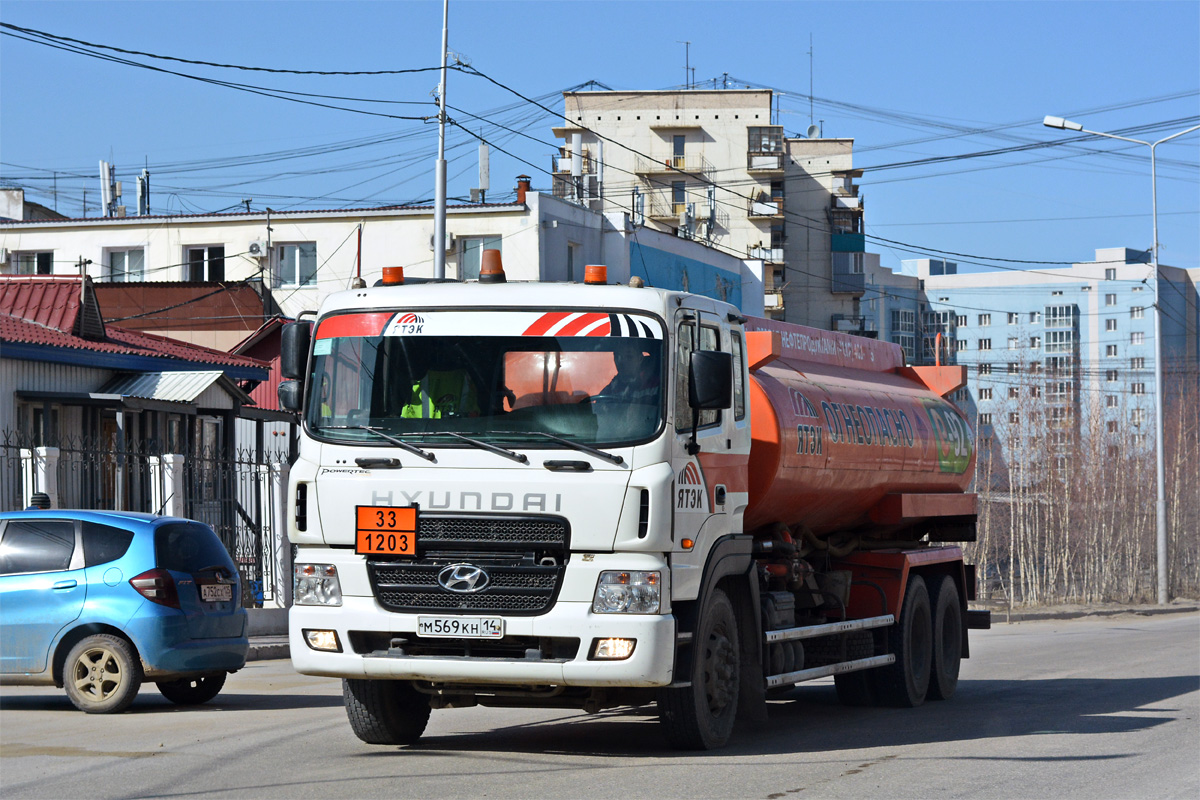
(905, 683)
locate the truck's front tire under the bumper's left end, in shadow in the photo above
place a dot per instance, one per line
(386, 712)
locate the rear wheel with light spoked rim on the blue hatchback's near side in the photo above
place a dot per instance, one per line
(103, 675)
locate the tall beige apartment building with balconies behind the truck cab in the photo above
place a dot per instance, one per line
(716, 167)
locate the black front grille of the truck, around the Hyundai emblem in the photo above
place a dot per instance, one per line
(524, 560)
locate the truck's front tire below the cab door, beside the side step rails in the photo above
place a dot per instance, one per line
(701, 717)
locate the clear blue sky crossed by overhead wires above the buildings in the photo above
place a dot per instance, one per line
(907, 81)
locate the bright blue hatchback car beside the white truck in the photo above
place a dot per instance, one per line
(100, 601)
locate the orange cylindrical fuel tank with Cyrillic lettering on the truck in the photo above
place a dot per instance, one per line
(845, 437)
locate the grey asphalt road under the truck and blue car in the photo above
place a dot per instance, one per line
(1091, 708)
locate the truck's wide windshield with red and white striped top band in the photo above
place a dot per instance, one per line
(515, 377)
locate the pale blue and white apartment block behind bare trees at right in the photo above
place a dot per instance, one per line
(1067, 350)
